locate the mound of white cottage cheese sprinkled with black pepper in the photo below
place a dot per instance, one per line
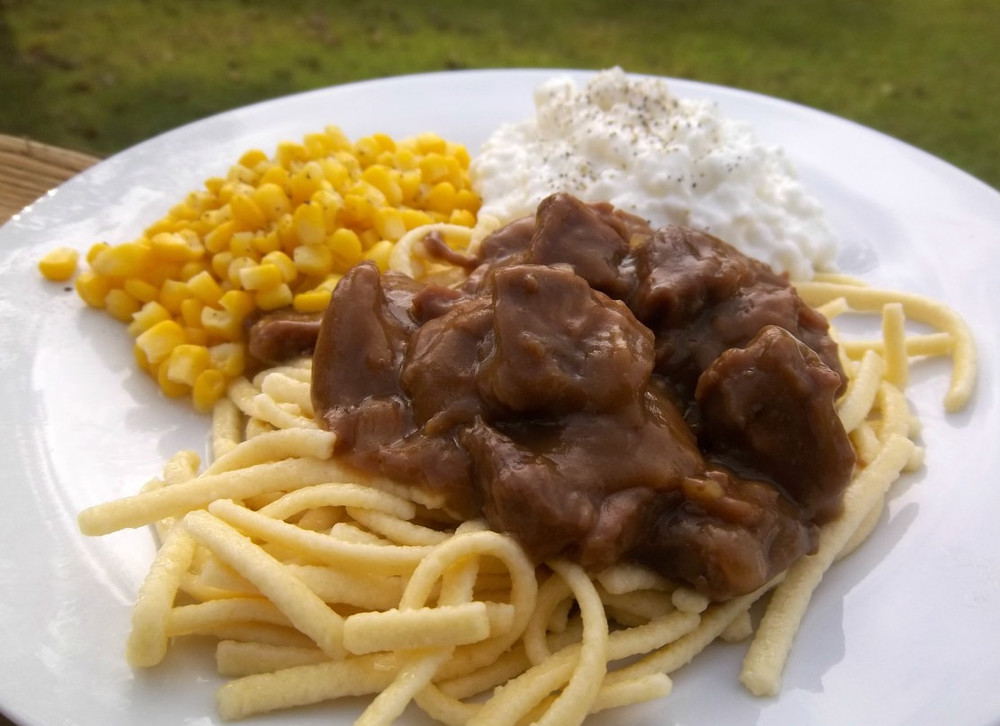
(628, 141)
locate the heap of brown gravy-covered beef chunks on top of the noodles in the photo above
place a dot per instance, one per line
(601, 391)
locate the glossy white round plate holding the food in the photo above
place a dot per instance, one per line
(904, 632)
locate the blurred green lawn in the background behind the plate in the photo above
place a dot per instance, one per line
(101, 75)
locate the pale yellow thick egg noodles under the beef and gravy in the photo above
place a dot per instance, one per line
(319, 583)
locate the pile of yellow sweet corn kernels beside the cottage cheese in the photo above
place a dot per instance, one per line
(275, 233)
